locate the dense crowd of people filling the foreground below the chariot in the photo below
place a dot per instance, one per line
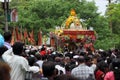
(23, 62)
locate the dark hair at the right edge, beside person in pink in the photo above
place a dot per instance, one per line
(116, 68)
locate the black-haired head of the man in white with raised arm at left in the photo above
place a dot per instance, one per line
(18, 48)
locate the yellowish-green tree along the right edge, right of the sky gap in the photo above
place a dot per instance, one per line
(113, 16)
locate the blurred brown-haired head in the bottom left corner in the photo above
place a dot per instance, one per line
(4, 71)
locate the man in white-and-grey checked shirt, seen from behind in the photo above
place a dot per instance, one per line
(82, 71)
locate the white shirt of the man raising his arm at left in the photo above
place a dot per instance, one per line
(19, 65)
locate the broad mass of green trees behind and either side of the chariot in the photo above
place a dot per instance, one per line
(46, 14)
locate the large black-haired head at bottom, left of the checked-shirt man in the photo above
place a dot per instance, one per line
(48, 68)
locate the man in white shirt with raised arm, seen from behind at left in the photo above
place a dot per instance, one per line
(19, 65)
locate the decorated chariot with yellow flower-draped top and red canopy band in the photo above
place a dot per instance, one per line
(72, 34)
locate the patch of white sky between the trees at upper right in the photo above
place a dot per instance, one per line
(101, 5)
